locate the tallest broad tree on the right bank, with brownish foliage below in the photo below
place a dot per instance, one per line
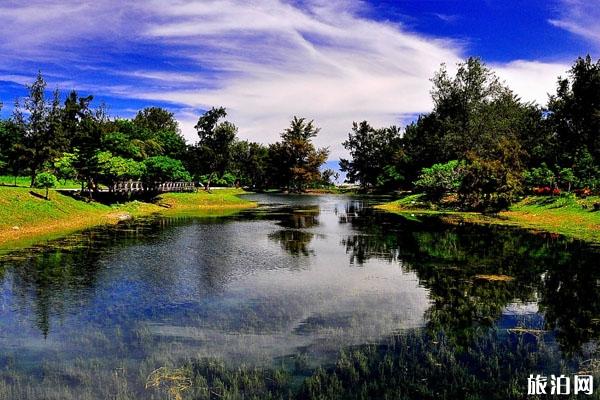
(477, 119)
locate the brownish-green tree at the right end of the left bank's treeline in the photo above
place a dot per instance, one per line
(296, 157)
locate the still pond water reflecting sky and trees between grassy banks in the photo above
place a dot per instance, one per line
(288, 286)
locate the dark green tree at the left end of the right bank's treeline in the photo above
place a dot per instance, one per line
(375, 155)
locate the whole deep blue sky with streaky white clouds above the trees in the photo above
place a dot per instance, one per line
(266, 60)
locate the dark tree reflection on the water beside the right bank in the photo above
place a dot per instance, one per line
(451, 261)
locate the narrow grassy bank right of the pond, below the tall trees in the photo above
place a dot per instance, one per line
(568, 216)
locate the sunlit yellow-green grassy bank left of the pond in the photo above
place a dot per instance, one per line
(26, 217)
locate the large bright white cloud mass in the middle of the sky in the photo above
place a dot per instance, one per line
(323, 62)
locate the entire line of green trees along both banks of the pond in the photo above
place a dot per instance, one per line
(481, 144)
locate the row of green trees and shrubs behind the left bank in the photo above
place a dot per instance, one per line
(48, 139)
